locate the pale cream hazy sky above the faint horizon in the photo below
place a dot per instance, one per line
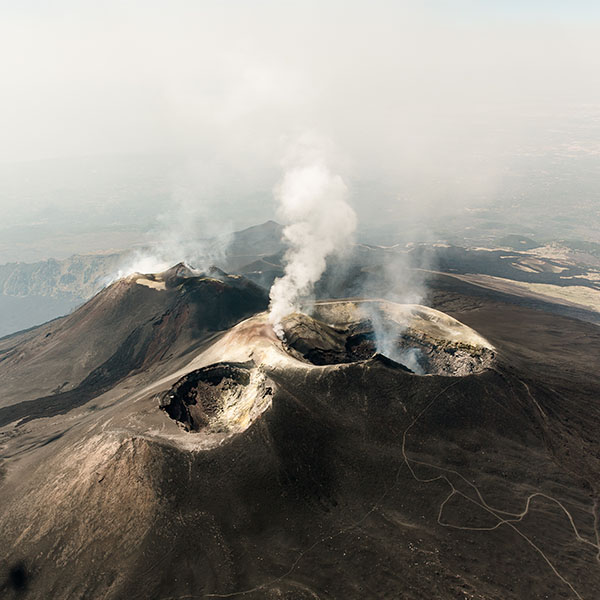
(416, 96)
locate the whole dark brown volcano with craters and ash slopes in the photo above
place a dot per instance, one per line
(163, 442)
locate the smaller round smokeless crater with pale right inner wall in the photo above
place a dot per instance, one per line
(221, 398)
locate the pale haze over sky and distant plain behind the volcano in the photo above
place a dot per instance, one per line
(431, 109)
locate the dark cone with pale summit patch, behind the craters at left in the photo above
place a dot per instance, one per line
(131, 326)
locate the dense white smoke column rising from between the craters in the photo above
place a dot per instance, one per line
(319, 222)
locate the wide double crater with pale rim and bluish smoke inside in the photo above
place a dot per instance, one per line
(423, 341)
